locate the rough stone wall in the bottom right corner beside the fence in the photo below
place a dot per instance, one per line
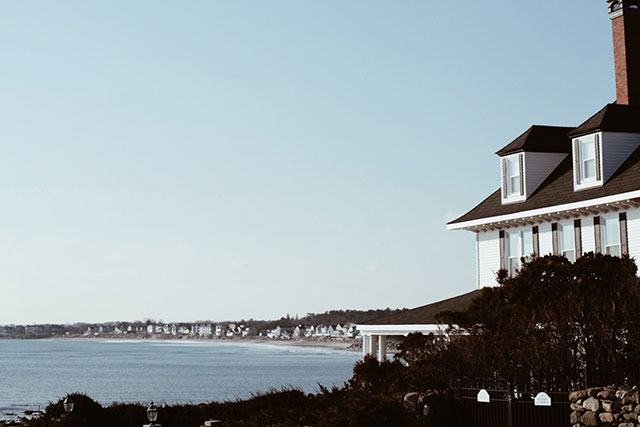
(605, 406)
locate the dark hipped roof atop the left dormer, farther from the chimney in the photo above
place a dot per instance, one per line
(546, 139)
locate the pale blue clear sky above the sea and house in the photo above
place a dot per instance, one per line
(224, 160)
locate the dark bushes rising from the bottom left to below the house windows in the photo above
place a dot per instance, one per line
(555, 322)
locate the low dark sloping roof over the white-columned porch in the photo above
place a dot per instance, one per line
(426, 315)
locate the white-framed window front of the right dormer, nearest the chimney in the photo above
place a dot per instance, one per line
(586, 155)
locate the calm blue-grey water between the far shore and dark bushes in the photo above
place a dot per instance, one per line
(32, 373)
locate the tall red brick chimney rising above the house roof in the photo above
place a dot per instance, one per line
(625, 19)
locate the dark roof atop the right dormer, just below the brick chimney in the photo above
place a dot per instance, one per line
(612, 118)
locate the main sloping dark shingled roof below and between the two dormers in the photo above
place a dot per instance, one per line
(557, 189)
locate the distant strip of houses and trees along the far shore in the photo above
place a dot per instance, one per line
(331, 325)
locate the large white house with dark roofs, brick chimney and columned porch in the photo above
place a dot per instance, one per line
(563, 190)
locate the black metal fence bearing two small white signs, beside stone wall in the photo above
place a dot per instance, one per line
(510, 407)
